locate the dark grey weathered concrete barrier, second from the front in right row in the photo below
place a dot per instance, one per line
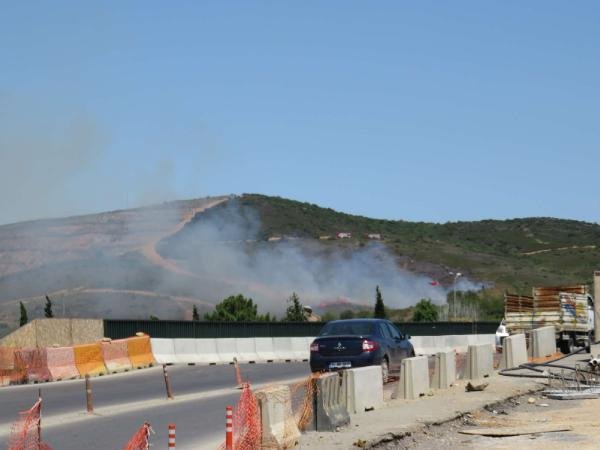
(330, 405)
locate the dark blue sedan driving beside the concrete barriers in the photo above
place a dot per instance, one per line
(344, 344)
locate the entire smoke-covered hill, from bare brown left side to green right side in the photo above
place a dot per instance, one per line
(162, 259)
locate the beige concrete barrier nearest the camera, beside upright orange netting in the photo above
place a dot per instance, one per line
(279, 429)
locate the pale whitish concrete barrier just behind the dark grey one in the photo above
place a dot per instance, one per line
(364, 389)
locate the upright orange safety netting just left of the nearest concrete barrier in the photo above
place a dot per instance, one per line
(247, 432)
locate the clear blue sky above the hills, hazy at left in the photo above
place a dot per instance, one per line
(433, 111)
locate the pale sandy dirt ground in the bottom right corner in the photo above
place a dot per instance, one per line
(582, 416)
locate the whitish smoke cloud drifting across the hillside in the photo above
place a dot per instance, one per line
(225, 245)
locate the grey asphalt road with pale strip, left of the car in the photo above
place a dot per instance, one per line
(123, 402)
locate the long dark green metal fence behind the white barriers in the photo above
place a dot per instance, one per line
(117, 329)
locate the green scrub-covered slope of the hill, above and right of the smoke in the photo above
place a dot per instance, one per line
(513, 254)
